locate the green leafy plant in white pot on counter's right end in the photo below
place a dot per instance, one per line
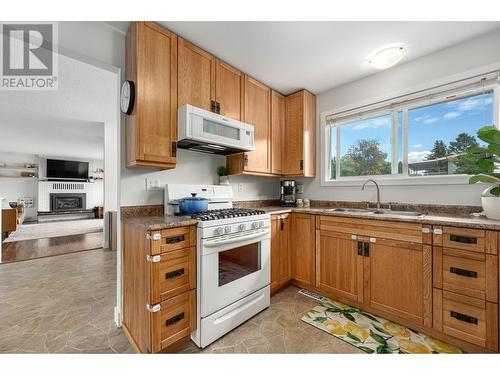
(487, 164)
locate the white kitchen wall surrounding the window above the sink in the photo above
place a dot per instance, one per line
(438, 67)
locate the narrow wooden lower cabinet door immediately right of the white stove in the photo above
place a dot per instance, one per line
(280, 251)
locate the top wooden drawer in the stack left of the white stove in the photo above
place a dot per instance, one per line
(173, 239)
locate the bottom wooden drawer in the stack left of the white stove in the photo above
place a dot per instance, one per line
(175, 321)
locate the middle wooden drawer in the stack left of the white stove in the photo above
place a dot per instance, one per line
(174, 274)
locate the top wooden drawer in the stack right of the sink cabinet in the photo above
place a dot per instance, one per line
(462, 238)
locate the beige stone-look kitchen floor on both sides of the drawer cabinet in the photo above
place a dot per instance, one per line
(64, 304)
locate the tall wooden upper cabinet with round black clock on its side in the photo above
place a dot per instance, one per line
(151, 63)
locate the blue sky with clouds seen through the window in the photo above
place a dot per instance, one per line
(425, 125)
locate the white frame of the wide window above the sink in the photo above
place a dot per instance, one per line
(397, 179)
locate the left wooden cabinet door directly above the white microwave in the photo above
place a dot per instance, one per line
(196, 79)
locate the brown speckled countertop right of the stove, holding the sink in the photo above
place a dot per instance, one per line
(433, 218)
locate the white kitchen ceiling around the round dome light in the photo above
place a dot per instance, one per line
(317, 55)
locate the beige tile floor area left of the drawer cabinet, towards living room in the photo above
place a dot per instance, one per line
(60, 304)
